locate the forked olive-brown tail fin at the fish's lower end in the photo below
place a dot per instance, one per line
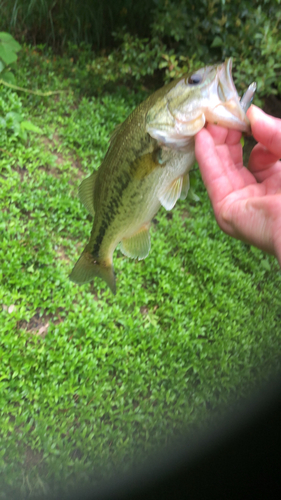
(88, 267)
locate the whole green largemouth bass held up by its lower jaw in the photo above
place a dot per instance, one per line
(147, 164)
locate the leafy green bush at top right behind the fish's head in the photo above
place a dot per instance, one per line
(184, 39)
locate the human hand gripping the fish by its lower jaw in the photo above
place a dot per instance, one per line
(246, 202)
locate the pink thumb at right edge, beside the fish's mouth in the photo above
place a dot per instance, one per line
(266, 129)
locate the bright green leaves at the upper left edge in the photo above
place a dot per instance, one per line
(8, 56)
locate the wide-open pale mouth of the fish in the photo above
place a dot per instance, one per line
(230, 99)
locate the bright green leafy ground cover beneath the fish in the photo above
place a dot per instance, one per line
(89, 381)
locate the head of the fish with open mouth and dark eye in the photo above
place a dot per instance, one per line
(207, 96)
